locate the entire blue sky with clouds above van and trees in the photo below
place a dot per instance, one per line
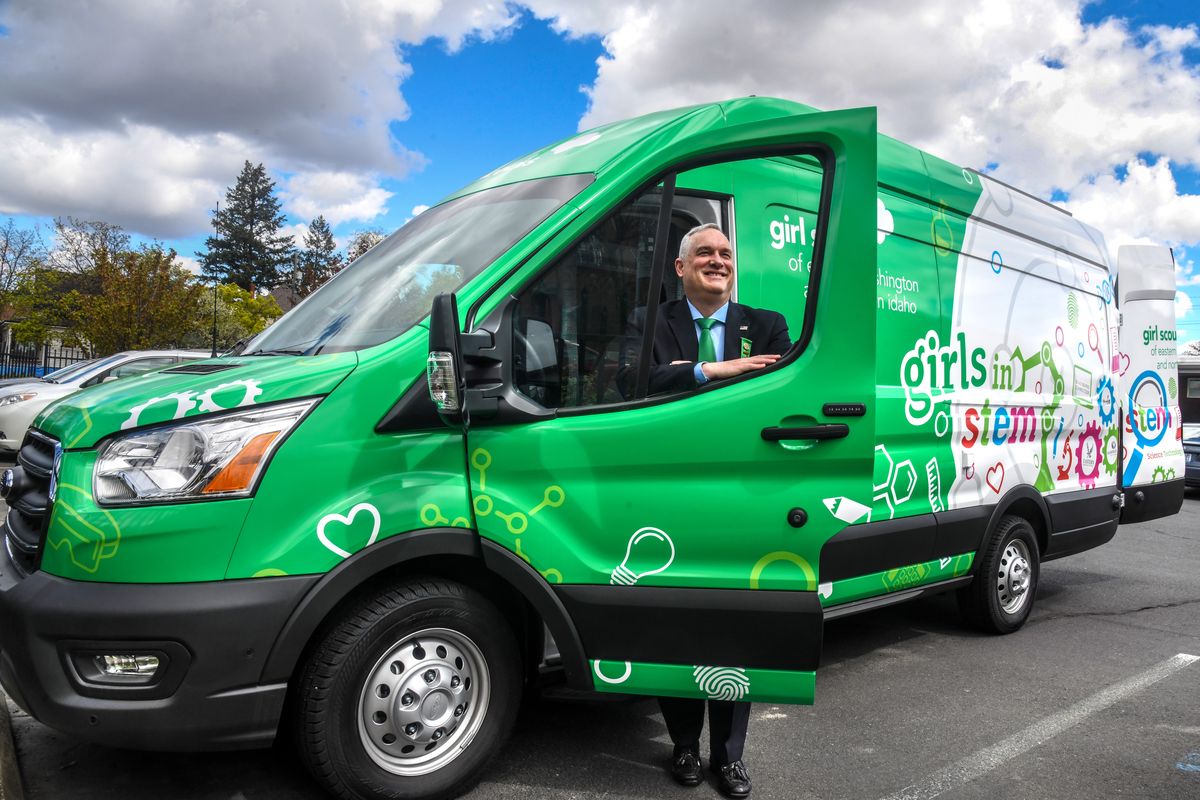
(142, 113)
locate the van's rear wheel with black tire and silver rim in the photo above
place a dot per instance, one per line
(1001, 597)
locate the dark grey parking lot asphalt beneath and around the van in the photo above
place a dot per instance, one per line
(1095, 697)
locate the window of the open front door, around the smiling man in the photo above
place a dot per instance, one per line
(580, 326)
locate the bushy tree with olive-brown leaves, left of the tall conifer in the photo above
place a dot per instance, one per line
(146, 300)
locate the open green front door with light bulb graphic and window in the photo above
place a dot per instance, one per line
(681, 532)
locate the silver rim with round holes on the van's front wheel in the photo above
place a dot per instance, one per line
(424, 702)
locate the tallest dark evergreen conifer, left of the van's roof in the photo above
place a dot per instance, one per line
(247, 248)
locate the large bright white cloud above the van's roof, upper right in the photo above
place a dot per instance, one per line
(1052, 103)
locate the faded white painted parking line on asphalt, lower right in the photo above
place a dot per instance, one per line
(989, 759)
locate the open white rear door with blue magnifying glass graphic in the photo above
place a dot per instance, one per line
(1153, 449)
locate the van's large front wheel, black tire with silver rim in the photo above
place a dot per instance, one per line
(425, 653)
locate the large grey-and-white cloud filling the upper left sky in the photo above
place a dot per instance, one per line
(142, 115)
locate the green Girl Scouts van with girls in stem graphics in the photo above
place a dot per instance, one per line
(446, 471)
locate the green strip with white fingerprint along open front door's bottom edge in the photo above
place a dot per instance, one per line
(718, 683)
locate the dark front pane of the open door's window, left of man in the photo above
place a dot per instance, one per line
(572, 322)
